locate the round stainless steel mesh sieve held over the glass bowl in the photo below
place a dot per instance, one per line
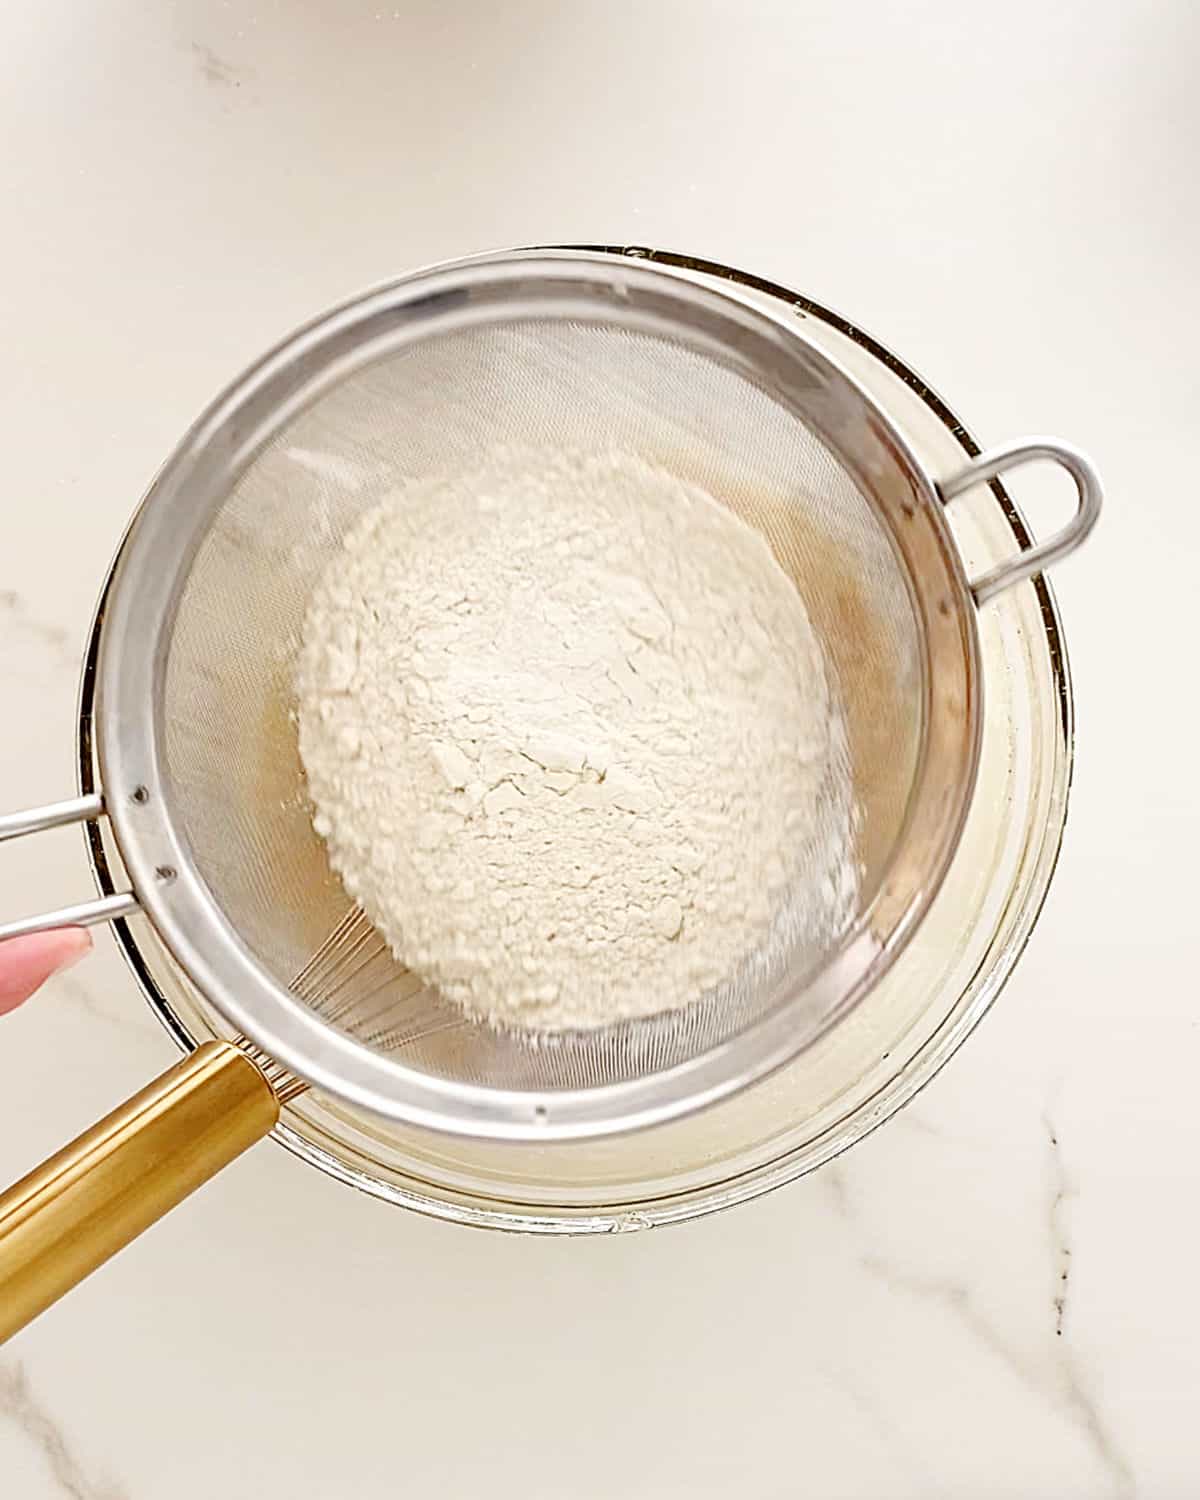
(196, 728)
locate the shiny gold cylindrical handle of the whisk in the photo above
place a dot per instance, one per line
(115, 1181)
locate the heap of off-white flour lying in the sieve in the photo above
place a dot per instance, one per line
(571, 739)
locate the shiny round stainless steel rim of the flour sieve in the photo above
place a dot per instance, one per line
(146, 589)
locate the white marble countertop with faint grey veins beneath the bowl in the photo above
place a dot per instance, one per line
(1004, 194)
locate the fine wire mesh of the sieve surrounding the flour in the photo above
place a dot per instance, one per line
(229, 703)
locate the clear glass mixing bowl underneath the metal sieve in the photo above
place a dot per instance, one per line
(868, 1067)
